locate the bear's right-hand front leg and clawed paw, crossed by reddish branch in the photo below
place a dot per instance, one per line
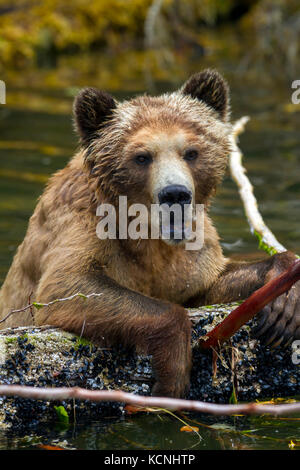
(279, 322)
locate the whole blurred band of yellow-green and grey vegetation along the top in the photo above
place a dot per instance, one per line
(37, 31)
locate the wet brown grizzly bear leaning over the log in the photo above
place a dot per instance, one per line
(165, 149)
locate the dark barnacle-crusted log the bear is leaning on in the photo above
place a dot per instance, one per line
(46, 356)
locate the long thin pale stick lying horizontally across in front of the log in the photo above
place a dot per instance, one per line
(175, 404)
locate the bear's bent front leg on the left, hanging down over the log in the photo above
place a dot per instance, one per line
(120, 315)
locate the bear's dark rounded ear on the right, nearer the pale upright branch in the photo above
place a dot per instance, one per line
(211, 88)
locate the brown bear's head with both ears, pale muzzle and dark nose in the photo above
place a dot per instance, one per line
(157, 150)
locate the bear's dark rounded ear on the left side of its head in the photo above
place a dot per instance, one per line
(92, 109)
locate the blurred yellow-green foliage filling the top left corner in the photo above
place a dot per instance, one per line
(30, 29)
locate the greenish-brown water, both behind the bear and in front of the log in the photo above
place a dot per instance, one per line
(36, 139)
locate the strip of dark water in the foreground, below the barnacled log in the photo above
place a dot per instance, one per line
(161, 432)
